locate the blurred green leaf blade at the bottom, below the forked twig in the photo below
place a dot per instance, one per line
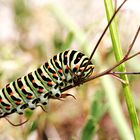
(98, 109)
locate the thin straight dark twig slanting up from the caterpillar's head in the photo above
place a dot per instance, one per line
(97, 44)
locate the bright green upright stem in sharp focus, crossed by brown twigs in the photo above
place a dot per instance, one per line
(119, 55)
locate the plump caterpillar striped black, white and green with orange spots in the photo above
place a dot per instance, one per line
(35, 88)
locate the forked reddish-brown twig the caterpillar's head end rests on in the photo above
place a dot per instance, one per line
(108, 71)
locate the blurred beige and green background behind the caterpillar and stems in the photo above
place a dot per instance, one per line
(33, 31)
